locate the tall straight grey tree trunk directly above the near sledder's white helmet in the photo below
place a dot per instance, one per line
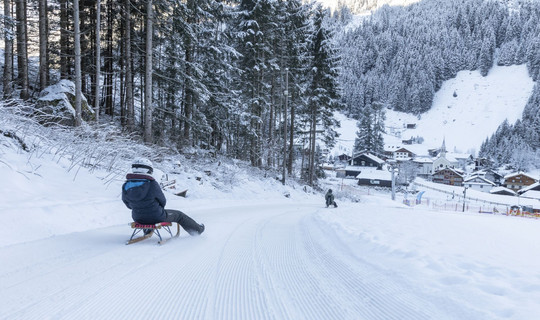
(148, 76)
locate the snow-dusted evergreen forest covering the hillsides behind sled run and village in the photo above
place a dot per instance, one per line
(259, 80)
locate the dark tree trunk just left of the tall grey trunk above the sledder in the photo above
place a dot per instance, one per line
(129, 77)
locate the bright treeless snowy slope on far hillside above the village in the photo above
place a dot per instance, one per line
(481, 104)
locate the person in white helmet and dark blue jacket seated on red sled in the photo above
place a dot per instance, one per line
(142, 194)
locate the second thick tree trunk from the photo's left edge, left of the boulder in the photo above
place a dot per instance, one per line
(22, 49)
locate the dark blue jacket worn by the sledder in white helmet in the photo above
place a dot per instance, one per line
(142, 194)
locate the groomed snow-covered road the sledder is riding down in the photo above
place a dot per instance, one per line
(270, 261)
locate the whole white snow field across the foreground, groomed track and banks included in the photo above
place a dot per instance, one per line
(262, 256)
